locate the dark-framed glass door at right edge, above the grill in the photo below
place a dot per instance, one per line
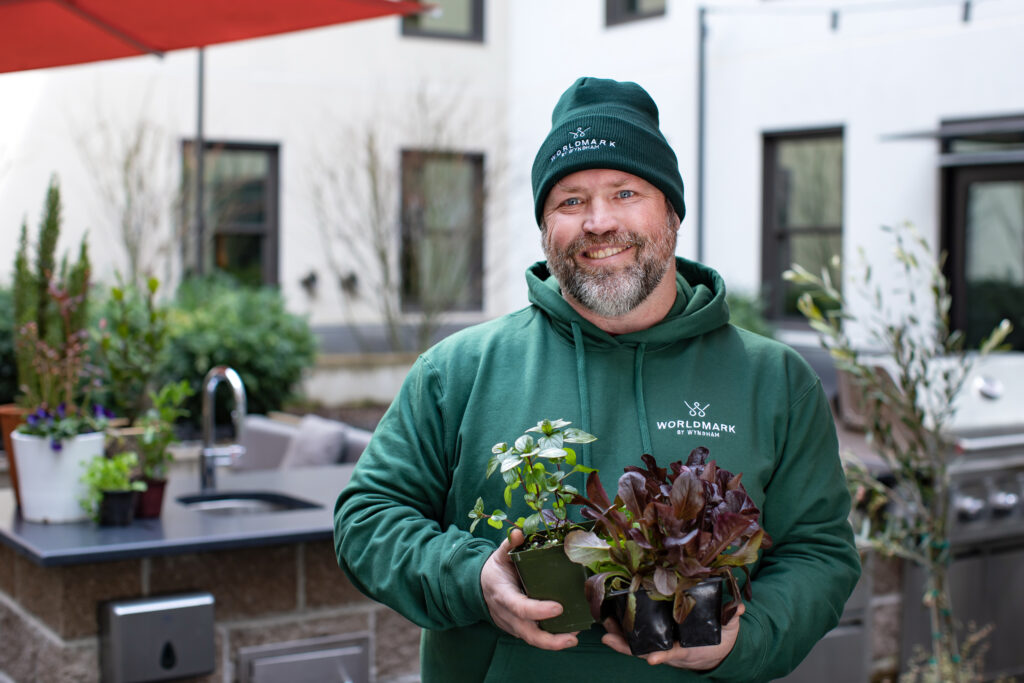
(984, 225)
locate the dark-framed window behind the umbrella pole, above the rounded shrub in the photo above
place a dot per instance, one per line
(240, 211)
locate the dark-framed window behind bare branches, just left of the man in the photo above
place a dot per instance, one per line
(442, 252)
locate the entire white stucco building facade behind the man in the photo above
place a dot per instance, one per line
(878, 70)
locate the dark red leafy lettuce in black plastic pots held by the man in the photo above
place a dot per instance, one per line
(661, 551)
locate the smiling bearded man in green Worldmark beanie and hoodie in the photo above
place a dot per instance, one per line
(633, 346)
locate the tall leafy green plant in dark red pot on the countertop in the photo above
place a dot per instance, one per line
(153, 443)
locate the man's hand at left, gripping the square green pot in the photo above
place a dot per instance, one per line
(511, 610)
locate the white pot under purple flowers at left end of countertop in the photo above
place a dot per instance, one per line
(52, 481)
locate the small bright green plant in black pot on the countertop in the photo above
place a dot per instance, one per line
(111, 491)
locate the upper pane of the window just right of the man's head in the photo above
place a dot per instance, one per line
(809, 183)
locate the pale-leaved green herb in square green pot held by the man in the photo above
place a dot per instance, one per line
(539, 467)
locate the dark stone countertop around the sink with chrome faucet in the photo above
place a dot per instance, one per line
(184, 531)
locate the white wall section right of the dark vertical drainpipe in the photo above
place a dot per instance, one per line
(888, 69)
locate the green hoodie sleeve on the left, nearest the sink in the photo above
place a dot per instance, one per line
(390, 535)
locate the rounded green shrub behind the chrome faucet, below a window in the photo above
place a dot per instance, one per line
(215, 322)
